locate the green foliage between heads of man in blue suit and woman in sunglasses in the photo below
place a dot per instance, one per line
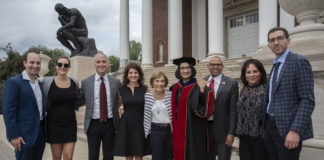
(52, 53)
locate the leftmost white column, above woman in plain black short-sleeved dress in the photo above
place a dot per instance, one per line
(124, 33)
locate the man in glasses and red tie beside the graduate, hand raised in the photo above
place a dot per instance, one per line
(222, 124)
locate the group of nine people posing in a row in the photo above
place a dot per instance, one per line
(196, 118)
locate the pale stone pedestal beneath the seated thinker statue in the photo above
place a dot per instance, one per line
(81, 67)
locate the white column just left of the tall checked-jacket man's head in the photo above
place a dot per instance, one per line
(267, 19)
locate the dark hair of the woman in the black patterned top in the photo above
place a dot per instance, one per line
(259, 66)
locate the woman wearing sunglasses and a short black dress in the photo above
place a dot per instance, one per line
(61, 96)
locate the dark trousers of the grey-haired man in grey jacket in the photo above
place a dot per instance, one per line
(101, 132)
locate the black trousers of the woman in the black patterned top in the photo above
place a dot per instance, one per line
(252, 148)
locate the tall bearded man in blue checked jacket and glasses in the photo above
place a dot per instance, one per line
(289, 100)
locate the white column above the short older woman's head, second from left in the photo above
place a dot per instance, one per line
(147, 34)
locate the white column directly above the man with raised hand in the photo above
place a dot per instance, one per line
(215, 28)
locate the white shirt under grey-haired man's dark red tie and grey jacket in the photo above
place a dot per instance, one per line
(96, 107)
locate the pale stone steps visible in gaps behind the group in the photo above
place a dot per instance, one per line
(312, 149)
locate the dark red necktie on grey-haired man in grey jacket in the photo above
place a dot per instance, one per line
(103, 101)
